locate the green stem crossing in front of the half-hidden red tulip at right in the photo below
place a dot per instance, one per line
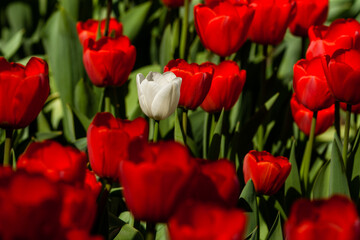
(305, 165)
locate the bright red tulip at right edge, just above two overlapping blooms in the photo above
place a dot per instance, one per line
(341, 34)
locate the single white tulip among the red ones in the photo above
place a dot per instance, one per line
(158, 93)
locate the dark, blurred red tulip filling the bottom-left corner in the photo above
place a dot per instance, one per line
(30, 207)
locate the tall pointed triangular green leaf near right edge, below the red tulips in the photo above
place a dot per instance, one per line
(338, 183)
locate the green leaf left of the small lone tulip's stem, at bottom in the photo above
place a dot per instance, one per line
(248, 196)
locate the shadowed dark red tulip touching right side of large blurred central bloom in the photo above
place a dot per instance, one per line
(215, 181)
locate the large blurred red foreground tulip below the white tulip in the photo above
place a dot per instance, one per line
(155, 179)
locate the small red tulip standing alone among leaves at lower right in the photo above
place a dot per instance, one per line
(267, 172)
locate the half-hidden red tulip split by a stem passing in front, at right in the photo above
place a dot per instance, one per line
(303, 116)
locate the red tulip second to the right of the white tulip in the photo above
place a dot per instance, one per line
(227, 84)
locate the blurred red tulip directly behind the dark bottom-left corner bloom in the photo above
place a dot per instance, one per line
(58, 163)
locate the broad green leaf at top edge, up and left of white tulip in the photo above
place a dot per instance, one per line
(134, 19)
